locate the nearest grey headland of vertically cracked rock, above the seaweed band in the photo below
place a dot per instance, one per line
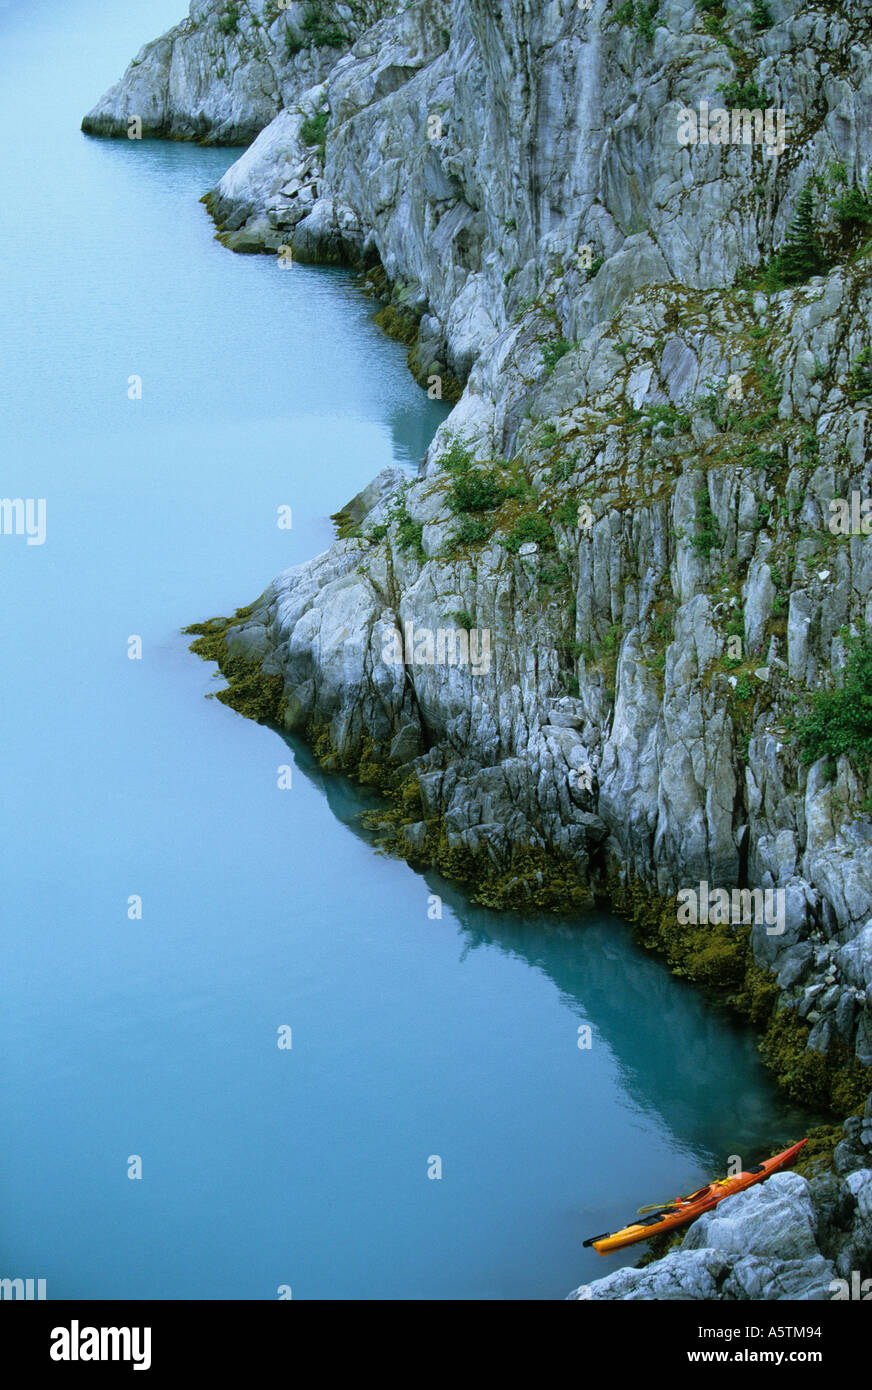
(678, 800)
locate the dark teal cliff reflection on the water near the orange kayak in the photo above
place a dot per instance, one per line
(679, 1057)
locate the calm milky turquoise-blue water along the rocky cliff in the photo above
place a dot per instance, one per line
(261, 908)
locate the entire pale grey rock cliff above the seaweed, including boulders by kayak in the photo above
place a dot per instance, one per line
(627, 529)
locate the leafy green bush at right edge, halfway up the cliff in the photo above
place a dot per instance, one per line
(841, 722)
